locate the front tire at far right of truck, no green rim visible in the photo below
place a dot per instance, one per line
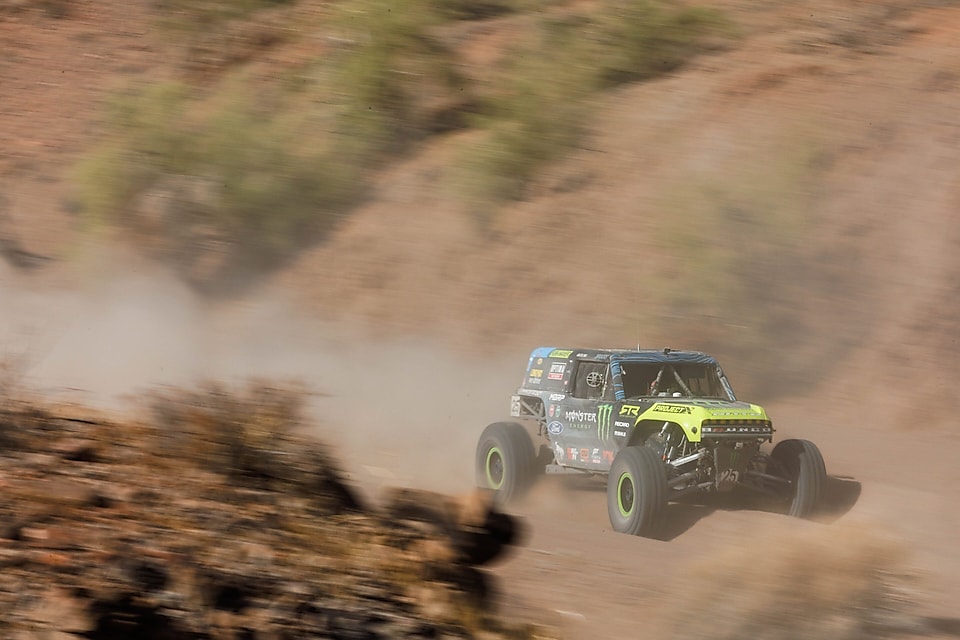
(800, 462)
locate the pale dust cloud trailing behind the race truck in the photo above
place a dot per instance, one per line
(397, 413)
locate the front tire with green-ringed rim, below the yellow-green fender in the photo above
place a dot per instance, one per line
(637, 491)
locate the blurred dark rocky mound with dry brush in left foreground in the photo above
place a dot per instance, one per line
(213, 520)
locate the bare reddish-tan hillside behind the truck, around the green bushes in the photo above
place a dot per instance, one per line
(787, 201)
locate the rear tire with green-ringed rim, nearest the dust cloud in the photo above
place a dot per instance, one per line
(505, 460)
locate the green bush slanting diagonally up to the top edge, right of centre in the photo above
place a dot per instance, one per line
(537, 112)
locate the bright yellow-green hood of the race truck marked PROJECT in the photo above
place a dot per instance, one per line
(691, 414)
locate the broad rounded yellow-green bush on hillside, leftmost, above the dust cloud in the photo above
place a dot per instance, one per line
(253, 178)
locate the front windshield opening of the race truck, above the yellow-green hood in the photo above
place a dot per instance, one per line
(690, 380)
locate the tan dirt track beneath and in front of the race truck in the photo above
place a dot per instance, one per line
(575, 573)
